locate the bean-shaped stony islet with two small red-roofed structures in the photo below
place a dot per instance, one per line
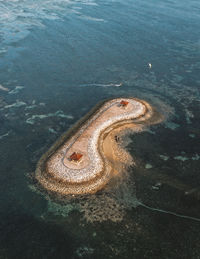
(79, 165)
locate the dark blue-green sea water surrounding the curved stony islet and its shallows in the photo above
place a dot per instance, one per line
(58, 59)
